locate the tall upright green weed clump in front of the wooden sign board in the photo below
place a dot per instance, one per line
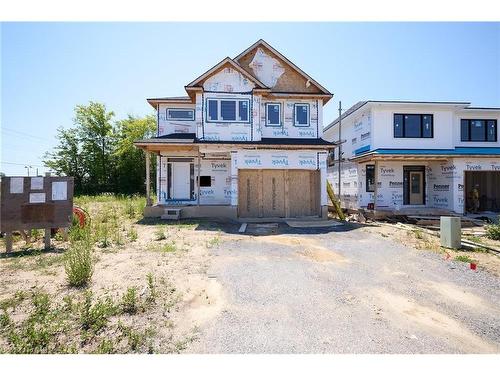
(78, 263)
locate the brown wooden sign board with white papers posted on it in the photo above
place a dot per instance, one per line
(36, 203)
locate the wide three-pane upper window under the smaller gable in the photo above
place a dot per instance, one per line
(228, 110)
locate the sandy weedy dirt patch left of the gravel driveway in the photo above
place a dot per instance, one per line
(185, 296)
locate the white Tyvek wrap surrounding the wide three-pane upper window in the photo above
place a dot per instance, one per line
(227, 131)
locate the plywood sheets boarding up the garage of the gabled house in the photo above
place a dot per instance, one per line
(278, 193)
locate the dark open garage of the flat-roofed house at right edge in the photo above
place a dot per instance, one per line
(482, 191)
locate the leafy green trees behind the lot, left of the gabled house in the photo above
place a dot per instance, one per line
(99, 152)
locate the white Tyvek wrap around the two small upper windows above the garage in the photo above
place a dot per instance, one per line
(287, 128)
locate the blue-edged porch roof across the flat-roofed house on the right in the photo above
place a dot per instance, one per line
(409, 154)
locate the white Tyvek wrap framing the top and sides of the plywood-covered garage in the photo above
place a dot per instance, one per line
(276, 159)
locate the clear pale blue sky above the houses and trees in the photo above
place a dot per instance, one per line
(49, 68)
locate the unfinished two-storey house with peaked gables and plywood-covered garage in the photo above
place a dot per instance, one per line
(246, 141)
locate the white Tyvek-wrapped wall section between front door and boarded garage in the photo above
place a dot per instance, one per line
(220, 173)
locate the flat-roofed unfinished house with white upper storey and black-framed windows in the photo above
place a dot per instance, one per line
(417, 156)
